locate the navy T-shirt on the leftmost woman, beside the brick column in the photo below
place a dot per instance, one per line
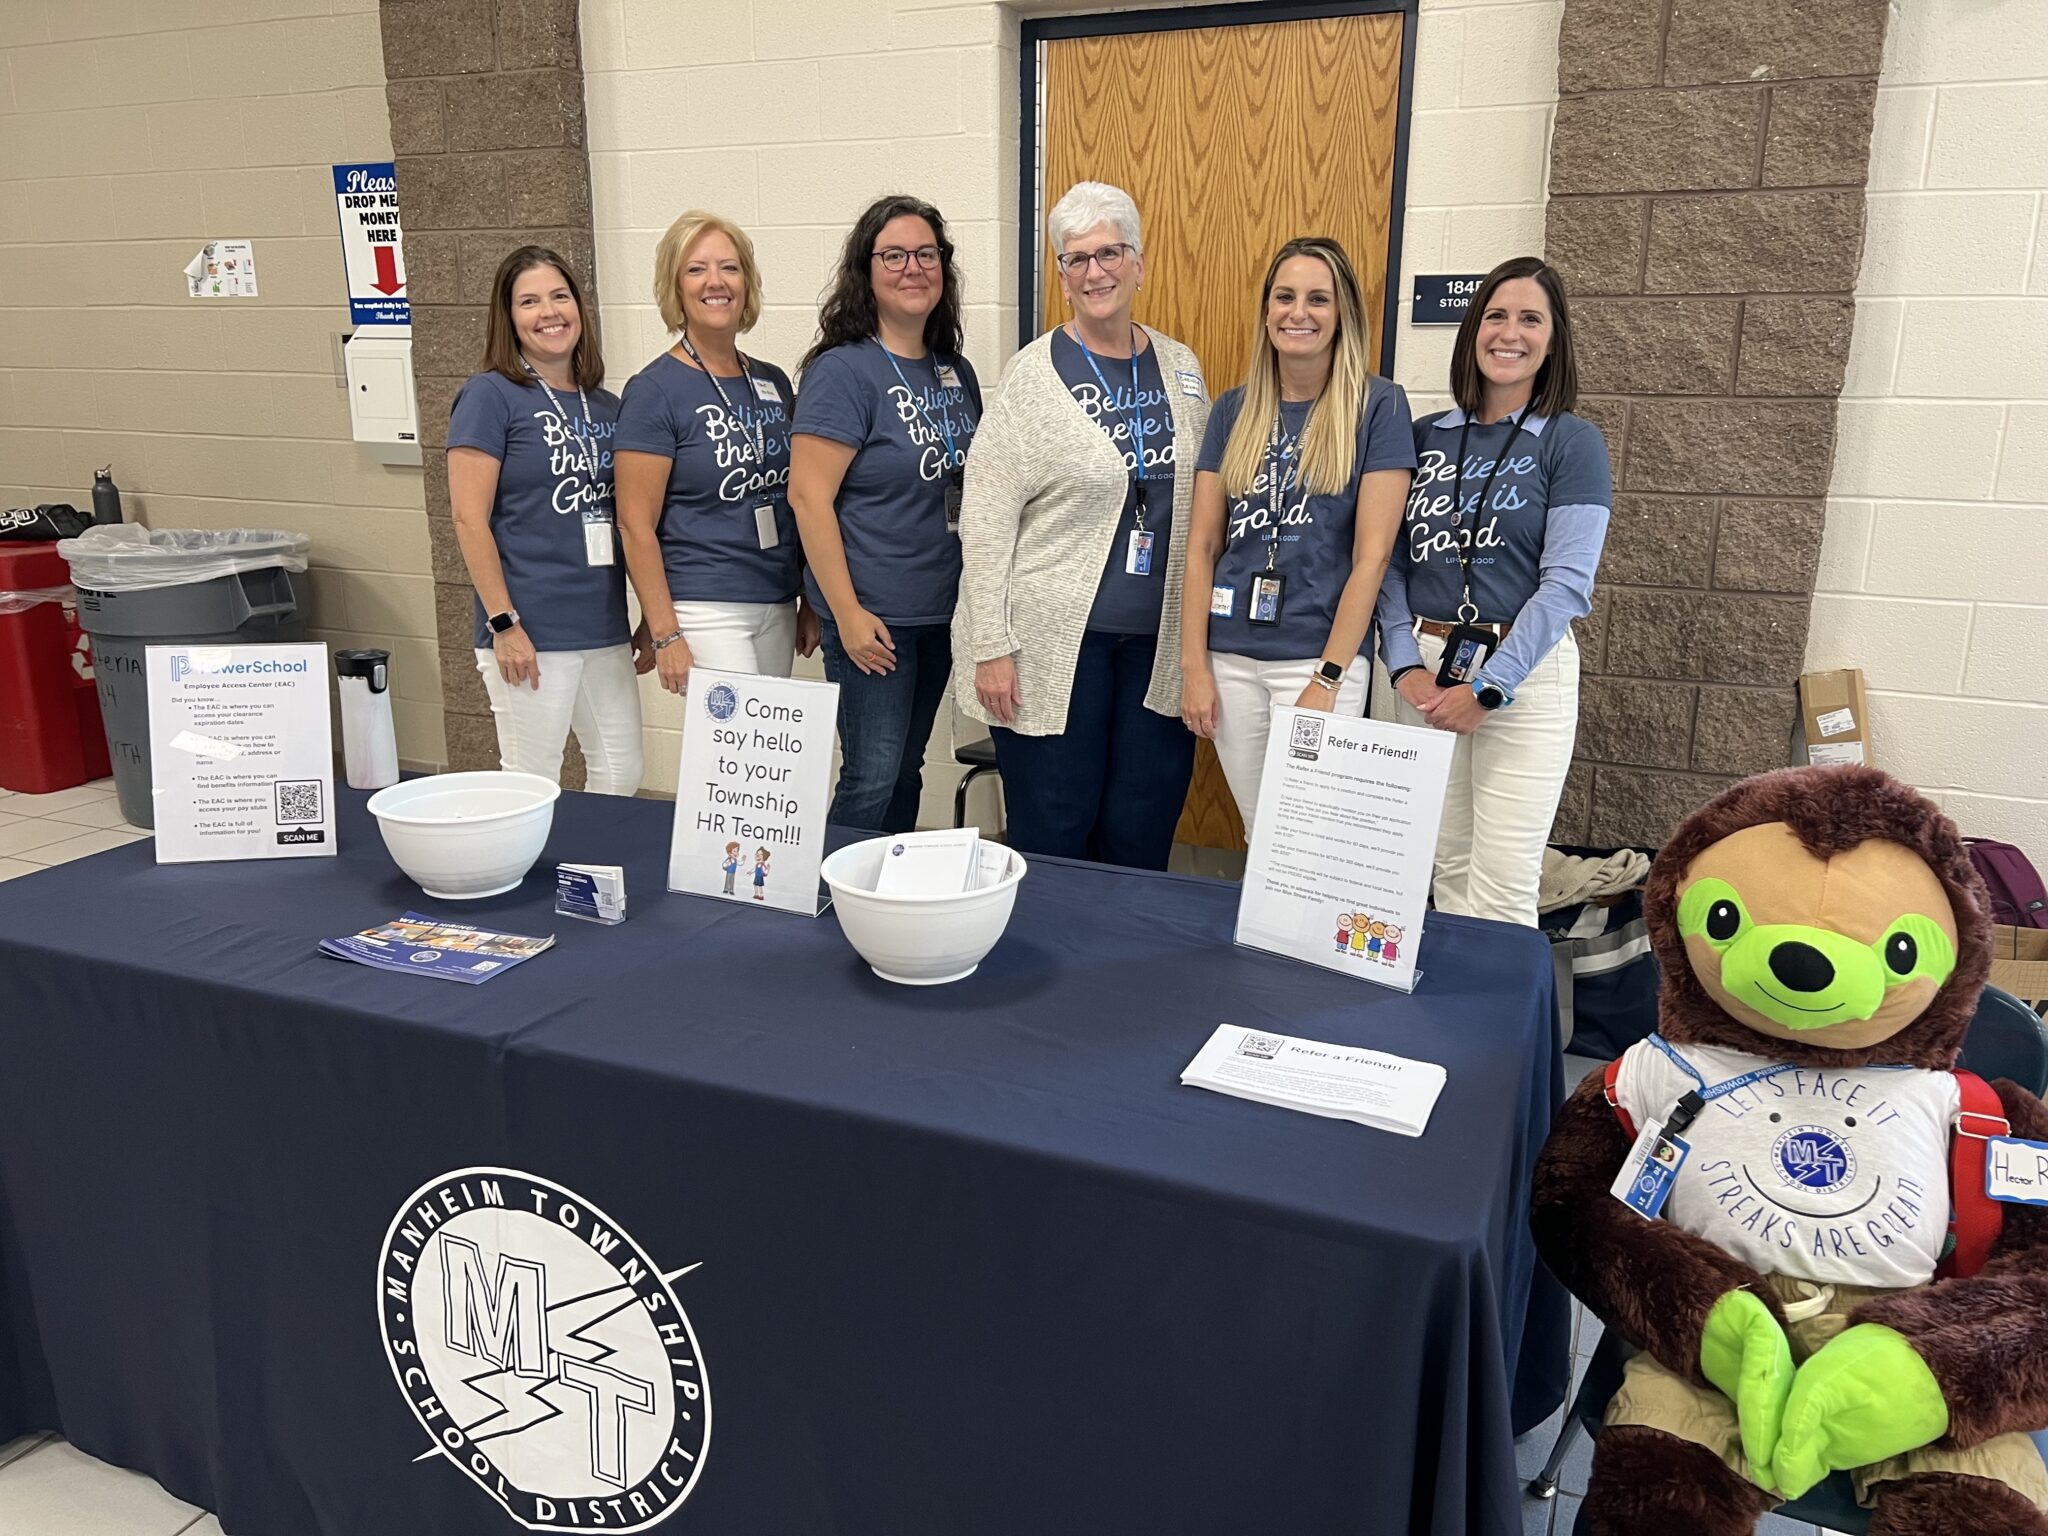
(552, 478)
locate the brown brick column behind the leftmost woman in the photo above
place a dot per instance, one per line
(488, 126)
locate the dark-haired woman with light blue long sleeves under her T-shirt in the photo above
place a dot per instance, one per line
(1498, 556)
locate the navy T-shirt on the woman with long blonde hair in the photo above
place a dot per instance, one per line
(1316, 531)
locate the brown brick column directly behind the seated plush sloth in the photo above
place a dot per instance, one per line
(1707, 214)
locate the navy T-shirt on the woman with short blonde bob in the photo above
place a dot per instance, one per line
(710, 534)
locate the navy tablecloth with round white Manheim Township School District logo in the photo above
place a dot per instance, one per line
(953, 1261)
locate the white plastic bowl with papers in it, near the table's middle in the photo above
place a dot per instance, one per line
(921, 941)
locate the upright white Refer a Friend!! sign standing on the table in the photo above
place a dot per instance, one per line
(1345, 843)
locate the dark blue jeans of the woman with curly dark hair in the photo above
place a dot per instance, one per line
(884, 724)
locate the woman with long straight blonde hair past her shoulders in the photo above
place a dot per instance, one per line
(1297, 503)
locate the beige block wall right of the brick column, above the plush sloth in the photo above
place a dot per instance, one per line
(1934, 566)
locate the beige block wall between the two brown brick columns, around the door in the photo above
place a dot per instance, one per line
(800, 114)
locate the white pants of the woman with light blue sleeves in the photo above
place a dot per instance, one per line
(1506, 781)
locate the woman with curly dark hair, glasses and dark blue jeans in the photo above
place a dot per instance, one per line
(886, 413)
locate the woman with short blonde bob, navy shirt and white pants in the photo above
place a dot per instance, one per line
(703, 470)
